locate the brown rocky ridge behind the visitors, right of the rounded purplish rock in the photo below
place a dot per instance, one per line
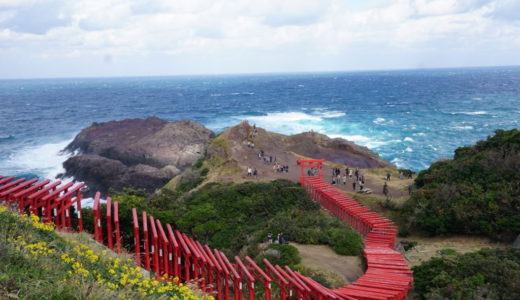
(229, 152)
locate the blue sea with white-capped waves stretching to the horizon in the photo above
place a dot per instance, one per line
(411, 118)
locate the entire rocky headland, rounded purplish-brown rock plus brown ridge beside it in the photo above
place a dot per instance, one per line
(148, 153)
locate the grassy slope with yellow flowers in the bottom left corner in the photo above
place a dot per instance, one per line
(38, 263)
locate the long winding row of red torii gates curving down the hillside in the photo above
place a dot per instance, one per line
(170, 254)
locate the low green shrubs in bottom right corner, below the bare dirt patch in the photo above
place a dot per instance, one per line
(487, 274)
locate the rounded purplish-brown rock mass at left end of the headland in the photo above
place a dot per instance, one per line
(137, 153)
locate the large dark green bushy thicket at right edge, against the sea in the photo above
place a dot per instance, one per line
(477, 192)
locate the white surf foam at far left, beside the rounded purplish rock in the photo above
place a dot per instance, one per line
(43, 160)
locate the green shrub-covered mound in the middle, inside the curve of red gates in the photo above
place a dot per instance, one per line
(231, 217)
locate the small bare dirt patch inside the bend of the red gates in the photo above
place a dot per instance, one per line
(325, 259)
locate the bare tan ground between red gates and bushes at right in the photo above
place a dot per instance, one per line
(430, 247)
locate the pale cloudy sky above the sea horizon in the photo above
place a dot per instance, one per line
(78, 38)
